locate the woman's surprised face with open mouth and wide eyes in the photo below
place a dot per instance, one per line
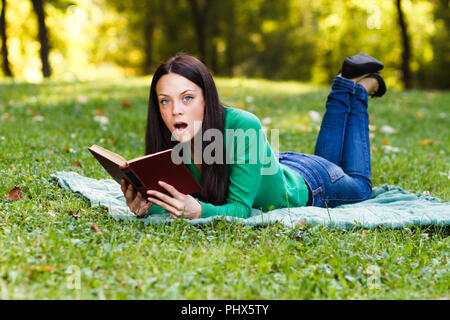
(181, 105)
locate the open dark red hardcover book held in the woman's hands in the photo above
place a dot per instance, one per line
(145, 172)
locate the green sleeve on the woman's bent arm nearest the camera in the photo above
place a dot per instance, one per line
(245, 171)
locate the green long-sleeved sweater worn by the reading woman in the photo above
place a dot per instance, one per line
(256, 178)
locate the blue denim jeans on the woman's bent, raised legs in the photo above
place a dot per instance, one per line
(339, 171)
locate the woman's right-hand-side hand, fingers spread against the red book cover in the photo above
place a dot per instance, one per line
(178, 205)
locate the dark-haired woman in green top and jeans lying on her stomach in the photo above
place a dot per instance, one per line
(184, 106)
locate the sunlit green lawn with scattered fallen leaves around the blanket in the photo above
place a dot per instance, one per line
(46, 239)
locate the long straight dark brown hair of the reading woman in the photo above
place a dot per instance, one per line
(158, 136)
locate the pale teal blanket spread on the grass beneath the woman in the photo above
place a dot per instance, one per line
(388, 206)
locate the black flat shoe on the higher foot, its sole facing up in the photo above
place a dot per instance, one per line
(359, 64)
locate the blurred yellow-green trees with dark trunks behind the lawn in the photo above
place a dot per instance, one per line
(273, 39)
